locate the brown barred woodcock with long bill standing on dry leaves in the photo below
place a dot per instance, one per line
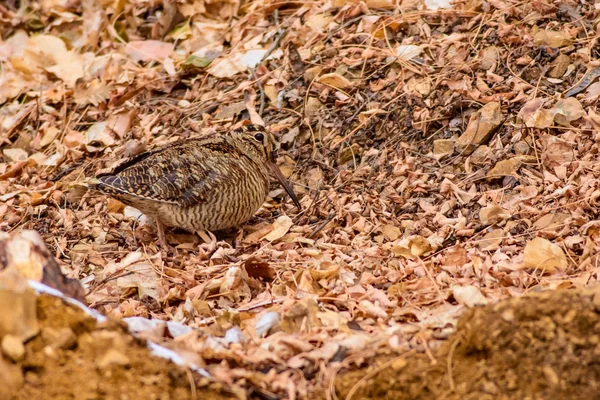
(203, 184)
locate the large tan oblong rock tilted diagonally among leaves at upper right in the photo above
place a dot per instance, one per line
(482, 126)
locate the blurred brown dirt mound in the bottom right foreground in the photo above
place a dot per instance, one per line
(543, 346)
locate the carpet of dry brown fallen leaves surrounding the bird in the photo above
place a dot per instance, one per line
(445, 158)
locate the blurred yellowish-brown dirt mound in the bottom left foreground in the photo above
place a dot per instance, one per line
(74, 357)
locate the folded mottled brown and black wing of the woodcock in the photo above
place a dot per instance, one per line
(184, 174)
